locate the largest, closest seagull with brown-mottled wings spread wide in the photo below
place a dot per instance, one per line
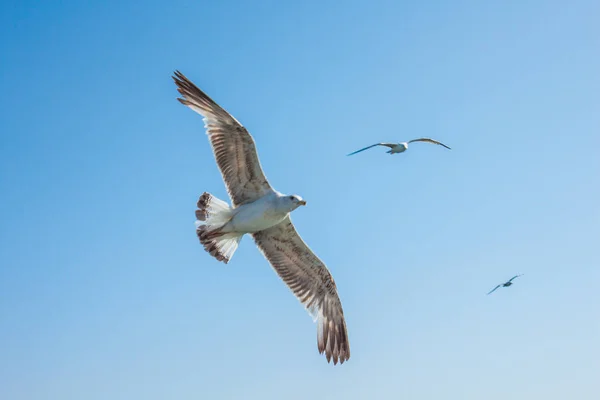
(264, 213)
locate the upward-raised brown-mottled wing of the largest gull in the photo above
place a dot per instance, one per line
(232, 144)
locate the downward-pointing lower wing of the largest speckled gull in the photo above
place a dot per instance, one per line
(310, 280)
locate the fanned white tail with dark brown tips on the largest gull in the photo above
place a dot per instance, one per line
(212, 214)
